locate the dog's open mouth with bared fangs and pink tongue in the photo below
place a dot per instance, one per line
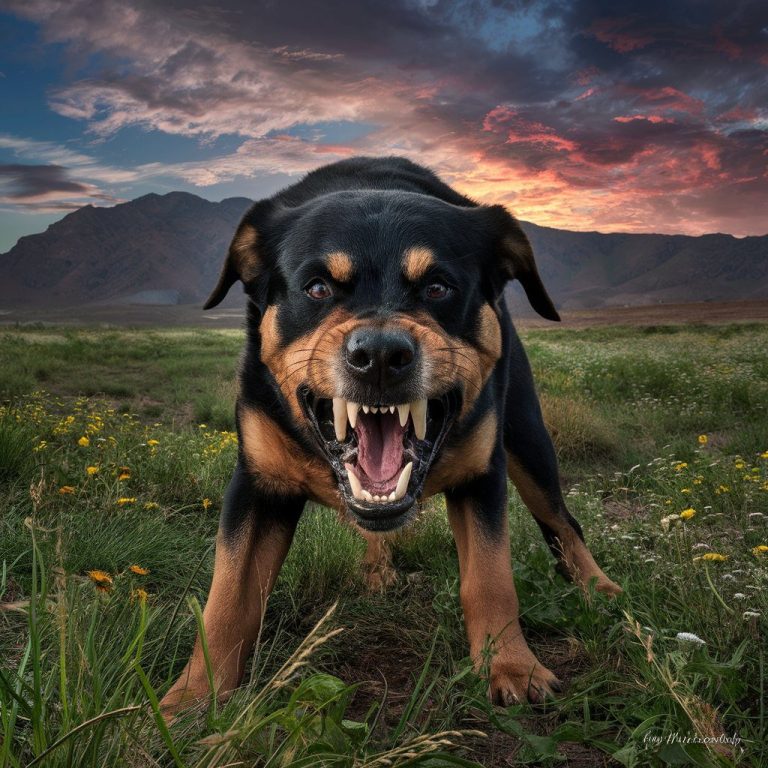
(381, 452)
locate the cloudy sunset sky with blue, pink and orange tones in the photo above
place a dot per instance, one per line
(613, 116)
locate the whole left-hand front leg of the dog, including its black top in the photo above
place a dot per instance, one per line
(255, 532)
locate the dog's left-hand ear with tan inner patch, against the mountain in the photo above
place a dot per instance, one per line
(245, 260)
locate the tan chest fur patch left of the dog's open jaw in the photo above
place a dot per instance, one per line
(281, 464)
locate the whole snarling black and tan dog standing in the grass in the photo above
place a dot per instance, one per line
(381, 368)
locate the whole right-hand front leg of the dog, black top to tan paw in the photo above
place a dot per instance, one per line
(477, 512)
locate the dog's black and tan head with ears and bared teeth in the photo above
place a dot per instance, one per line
(379, 321)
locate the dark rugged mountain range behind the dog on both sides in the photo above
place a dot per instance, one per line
(167, 249)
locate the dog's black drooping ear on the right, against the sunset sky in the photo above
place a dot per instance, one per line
(514, 257)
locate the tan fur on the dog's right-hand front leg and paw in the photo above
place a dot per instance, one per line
(491, 609)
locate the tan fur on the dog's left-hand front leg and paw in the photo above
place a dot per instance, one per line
(244, 573)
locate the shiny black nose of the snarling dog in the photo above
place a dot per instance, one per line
(381, 356)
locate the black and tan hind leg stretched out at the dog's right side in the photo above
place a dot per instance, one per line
(532, 467)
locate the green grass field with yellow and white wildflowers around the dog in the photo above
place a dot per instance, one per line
(115, 449)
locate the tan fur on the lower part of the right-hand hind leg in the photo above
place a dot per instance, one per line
(576, 557)
